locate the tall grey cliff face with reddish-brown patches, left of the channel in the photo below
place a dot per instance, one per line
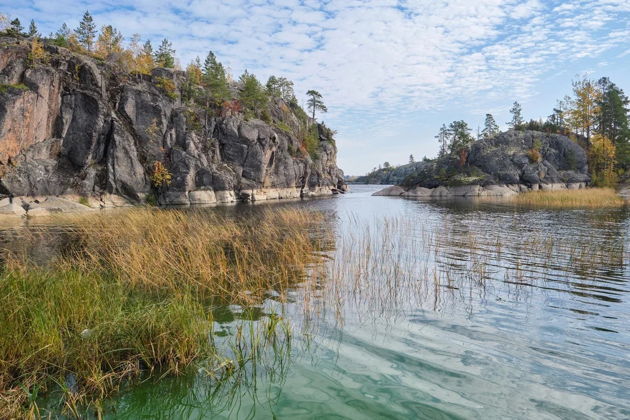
(75, 126)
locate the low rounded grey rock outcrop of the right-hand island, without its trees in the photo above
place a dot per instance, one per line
(507, 163)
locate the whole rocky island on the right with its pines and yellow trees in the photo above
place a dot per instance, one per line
(584, 142)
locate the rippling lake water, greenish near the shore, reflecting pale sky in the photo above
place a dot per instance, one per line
(436, 310)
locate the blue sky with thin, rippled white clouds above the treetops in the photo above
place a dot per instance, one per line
(391, 71)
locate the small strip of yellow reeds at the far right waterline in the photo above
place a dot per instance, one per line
(583, 198)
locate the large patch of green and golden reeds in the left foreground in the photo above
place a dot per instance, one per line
(135, 296)
